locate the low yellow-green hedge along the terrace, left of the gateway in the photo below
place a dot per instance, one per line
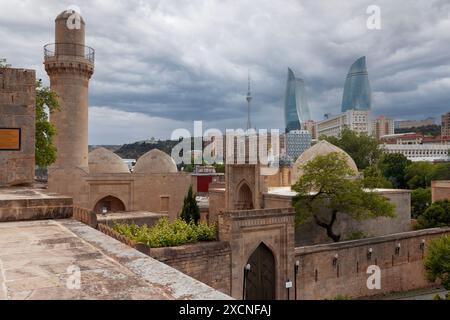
(166, 234)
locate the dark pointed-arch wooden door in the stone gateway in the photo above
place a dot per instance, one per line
(260, 279)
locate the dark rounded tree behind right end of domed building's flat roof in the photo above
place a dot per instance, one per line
(393, 166)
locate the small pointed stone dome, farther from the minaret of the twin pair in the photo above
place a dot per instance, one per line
(155, 161)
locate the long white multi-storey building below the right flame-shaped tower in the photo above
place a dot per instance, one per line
(356, 120)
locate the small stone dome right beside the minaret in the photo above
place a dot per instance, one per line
(102, 160)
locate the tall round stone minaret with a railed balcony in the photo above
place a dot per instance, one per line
(70, 65)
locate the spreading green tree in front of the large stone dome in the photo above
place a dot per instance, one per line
(327, 184)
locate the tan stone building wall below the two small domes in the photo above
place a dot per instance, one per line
(158, 193)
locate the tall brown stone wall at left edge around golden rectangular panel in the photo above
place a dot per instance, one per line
(17, 110)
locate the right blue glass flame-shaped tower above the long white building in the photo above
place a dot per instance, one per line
(357, 93)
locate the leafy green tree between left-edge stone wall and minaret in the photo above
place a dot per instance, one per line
(46, 100)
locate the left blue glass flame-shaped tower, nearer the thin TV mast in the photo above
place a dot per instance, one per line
(296, 109)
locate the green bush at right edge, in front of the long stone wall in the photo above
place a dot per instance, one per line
(437, 261)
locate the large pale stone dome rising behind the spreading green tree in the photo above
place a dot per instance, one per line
(319, 149)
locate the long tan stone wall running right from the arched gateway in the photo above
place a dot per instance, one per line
(320, 278)
